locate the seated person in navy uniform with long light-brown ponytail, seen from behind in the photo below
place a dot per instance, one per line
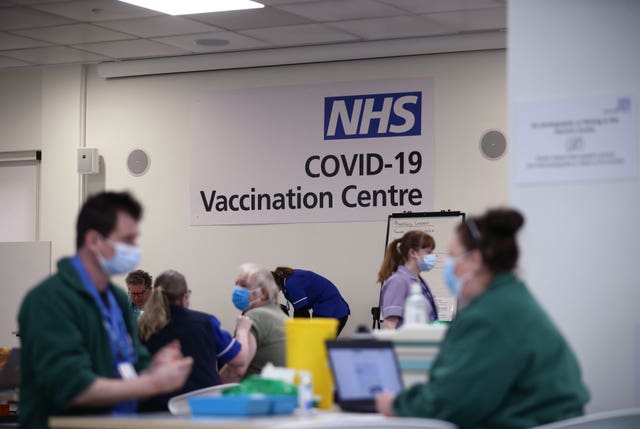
(167, 318)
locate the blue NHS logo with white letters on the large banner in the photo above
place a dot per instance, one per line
(373, 115)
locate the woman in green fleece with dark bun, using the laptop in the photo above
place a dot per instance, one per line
(503, 363)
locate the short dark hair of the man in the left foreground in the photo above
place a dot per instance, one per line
(100, 213)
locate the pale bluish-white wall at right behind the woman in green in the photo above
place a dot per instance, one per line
(581, 242)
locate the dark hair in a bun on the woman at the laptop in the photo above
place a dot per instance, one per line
(493, 234)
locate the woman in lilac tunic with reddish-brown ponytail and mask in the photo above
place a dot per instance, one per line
(405, 258)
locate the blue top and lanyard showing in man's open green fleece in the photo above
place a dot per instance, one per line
(112, 318)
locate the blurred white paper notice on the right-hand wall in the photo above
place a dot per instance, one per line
(590, 138)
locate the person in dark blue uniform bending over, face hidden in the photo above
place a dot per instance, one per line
(306, 291)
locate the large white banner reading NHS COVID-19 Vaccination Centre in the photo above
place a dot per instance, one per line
(352, 151)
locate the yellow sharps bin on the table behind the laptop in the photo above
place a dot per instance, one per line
(306, 351)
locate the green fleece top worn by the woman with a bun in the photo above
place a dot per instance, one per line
(502, 365)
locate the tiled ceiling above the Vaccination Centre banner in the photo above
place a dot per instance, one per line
(42, 32)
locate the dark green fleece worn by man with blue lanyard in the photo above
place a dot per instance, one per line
(65, 346)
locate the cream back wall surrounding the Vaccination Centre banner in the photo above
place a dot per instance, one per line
(152, 113)
